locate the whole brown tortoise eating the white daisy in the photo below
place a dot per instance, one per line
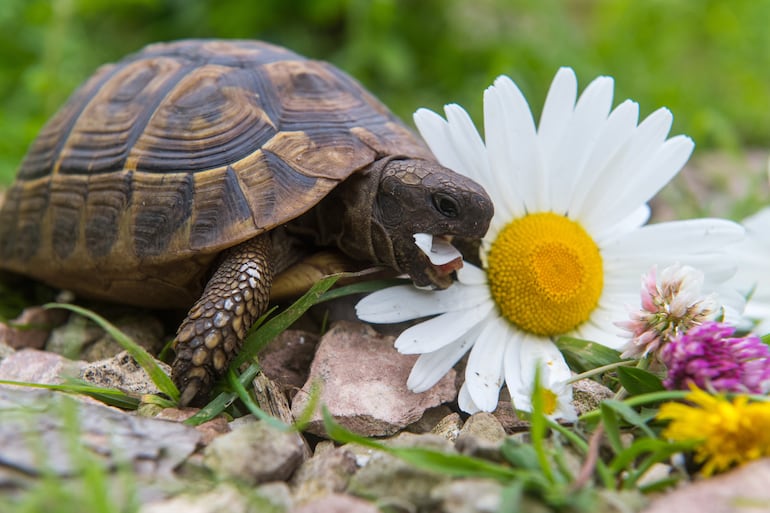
(189, 174)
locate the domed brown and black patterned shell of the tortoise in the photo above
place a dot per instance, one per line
(160, 161)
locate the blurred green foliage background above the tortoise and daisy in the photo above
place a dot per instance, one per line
(707, 60)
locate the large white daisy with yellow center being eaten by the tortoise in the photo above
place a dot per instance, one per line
(566, 246)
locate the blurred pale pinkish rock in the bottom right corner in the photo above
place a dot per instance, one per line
(743, 489)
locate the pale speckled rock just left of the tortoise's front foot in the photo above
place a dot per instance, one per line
(123, 373)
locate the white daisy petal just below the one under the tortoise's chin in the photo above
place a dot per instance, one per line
(435, 333)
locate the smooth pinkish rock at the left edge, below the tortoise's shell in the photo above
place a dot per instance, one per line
(33, 366)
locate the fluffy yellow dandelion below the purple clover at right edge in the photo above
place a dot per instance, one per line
(728, 432)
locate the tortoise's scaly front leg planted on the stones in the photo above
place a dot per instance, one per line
(212, 334)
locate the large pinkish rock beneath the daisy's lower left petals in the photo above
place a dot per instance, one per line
(363, 383)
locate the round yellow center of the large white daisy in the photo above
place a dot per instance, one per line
(545, 273)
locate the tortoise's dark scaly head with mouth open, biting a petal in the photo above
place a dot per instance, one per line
(422, 197)
